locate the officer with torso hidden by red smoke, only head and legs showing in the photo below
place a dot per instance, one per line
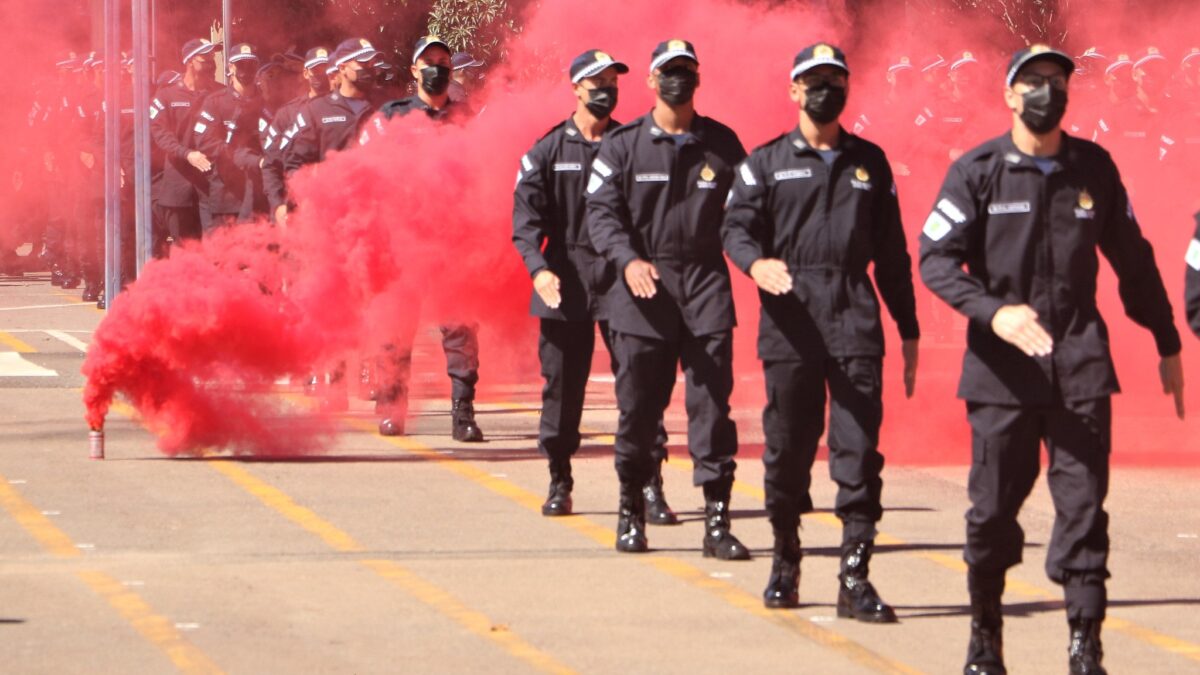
(431, 68)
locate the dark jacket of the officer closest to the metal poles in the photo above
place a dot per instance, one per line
(172, 122)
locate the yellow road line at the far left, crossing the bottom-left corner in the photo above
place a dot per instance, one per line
(157, 630)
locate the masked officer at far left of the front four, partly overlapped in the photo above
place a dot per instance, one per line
(569, 278)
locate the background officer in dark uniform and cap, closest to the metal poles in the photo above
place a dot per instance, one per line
(172, 123)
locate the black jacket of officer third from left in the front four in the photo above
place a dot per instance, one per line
(827, 224)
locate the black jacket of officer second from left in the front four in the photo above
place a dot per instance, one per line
(662, 200)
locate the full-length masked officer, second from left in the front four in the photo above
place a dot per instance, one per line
(656, 199)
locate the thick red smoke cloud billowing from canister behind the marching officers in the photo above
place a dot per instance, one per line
(416, 226)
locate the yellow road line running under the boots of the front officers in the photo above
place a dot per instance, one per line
(677, 569)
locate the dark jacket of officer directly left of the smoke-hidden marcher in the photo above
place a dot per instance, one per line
(325, 124)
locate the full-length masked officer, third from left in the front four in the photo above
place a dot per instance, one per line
(809, 212)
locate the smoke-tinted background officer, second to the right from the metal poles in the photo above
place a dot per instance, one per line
(225, 128)
